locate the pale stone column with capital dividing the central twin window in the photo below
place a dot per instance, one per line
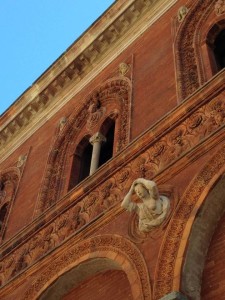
(96, 140)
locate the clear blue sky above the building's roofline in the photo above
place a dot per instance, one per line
(34, 33)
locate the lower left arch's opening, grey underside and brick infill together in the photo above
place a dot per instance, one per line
(95, 279)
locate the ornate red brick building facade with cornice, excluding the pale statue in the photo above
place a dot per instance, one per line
(145, 84)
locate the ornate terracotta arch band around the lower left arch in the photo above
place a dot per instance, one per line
(113, 247)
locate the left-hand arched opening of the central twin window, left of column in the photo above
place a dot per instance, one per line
(81, 162)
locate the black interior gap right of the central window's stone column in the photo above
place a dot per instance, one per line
(107, 147)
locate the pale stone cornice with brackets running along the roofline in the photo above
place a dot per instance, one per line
(124, 22)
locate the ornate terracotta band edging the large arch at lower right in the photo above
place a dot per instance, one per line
(172, 252)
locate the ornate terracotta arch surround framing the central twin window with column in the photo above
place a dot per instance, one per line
(114, 95)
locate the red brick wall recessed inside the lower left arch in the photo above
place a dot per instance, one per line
(110, 285)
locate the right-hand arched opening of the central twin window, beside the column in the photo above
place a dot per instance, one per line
(108, 130)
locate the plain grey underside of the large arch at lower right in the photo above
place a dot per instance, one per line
(204, 225)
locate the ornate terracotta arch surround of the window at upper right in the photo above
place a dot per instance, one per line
(189, 69)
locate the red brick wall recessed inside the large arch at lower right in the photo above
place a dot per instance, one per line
(213, 285)
